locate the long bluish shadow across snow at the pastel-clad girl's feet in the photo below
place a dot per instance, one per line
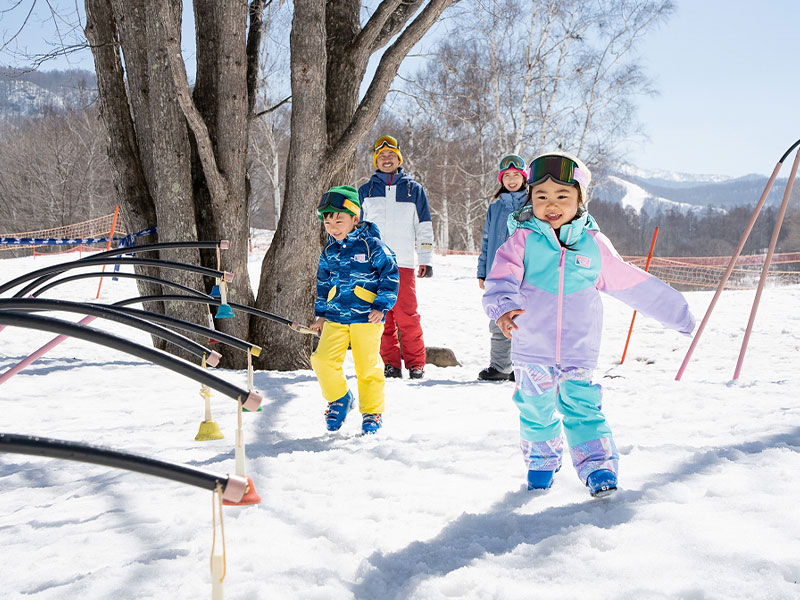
(396, 575)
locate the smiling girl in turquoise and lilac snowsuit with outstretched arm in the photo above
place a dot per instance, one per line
(543, 291)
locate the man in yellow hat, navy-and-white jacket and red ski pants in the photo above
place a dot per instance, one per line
(398, 205)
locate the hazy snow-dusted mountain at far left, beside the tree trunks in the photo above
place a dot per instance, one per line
(28, 94)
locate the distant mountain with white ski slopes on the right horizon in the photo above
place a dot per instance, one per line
(664, 191)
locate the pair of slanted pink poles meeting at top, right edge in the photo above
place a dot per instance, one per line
(736, 254)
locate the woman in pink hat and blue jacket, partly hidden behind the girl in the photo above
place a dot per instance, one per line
(512, 194)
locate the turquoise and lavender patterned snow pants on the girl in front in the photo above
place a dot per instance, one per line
(543, 390)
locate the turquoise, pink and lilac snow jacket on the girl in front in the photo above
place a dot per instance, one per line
(559, 290)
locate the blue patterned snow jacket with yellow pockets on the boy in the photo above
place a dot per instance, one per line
(355, 276)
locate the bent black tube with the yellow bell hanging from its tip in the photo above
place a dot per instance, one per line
(103, 312)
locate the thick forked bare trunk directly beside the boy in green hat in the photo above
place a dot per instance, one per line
(324, 139)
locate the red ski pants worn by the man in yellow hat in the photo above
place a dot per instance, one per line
(404, 316)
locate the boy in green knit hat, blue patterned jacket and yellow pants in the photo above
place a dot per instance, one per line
(357, 283)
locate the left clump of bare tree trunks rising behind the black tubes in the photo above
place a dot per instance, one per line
(184, 162)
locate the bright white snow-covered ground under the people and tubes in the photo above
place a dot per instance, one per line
(434, 506)
